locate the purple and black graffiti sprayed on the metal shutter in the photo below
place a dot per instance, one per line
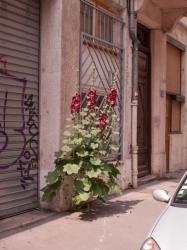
(24, 128)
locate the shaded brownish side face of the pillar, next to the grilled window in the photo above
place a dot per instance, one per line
(70, 56)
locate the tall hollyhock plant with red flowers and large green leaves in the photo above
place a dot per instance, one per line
(85, 150)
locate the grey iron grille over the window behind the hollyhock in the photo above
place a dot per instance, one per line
(101, 48)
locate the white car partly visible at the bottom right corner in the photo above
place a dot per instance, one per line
(170, 230)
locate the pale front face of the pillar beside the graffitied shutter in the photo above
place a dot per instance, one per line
(50, 84)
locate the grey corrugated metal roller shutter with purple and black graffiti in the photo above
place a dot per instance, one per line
(19, 109)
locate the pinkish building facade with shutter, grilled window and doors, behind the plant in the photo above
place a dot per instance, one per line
(47, 47)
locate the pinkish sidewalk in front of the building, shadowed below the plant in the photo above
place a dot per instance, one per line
(120, 224)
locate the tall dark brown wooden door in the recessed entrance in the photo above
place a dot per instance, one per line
(144, 109)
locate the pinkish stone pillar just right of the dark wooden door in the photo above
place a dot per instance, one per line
(158, 96)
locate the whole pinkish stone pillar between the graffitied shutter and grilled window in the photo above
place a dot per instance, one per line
(60, 29)
